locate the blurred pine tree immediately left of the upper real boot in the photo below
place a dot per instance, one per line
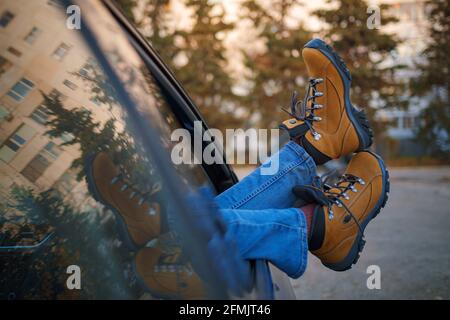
(279, 70)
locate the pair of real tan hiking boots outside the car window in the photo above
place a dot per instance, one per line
(328, 127)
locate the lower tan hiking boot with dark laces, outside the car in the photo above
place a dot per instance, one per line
(344, 209)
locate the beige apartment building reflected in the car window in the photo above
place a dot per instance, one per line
(39, 55)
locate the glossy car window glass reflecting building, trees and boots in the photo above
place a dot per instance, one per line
(76, 186)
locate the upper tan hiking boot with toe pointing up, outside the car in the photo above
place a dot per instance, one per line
(325, 123)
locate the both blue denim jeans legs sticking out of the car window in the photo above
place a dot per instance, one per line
(259, 212)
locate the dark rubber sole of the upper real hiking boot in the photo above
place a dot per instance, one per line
(358, 118)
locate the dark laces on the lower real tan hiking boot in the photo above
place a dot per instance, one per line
(340, 189)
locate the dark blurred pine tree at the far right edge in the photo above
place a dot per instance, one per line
(434, 82)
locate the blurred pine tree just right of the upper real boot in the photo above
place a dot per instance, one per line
(364, 50)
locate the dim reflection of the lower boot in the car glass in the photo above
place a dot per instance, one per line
(166, 275)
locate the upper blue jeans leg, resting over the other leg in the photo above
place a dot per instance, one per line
(258, 191)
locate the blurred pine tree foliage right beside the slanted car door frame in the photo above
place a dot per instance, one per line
(204, 76)
